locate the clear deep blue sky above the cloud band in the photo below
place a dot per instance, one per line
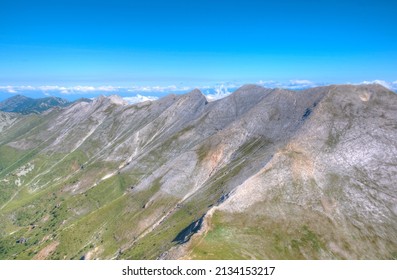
(179, 43)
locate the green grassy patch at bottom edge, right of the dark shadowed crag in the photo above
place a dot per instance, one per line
(241, 236)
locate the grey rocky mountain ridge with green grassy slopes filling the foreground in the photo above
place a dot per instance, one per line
(260, 174)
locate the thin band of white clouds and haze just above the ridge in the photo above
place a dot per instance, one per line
(135, 94)
